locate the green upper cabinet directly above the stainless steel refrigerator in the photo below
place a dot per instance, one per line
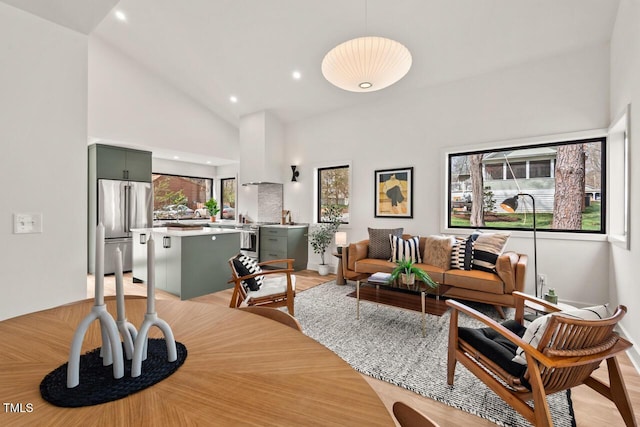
(121, 163)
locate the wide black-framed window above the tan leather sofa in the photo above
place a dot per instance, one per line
(566, 179)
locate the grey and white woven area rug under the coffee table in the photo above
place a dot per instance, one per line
(387, 344)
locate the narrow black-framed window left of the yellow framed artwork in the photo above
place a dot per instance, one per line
(333, 189)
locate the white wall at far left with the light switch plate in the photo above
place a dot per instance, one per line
(43, 82)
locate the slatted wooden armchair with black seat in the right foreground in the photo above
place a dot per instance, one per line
(568, 352)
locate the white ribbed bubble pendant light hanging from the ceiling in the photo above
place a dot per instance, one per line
(366, 64)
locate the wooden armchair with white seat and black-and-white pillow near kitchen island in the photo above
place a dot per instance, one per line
(278, 289)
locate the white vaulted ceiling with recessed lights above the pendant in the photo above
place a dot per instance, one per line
(212, 49)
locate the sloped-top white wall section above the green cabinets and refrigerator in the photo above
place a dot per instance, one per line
(127, 103)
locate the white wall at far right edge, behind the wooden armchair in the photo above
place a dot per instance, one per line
(625, 89)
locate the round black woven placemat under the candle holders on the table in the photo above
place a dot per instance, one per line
(97, 384)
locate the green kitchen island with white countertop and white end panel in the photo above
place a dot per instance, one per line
(189, 262)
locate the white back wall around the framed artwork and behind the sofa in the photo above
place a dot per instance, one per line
(560, 94)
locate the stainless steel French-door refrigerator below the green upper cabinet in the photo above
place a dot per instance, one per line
(122, 205)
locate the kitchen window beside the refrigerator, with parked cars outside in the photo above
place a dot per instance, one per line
(180, 197)
